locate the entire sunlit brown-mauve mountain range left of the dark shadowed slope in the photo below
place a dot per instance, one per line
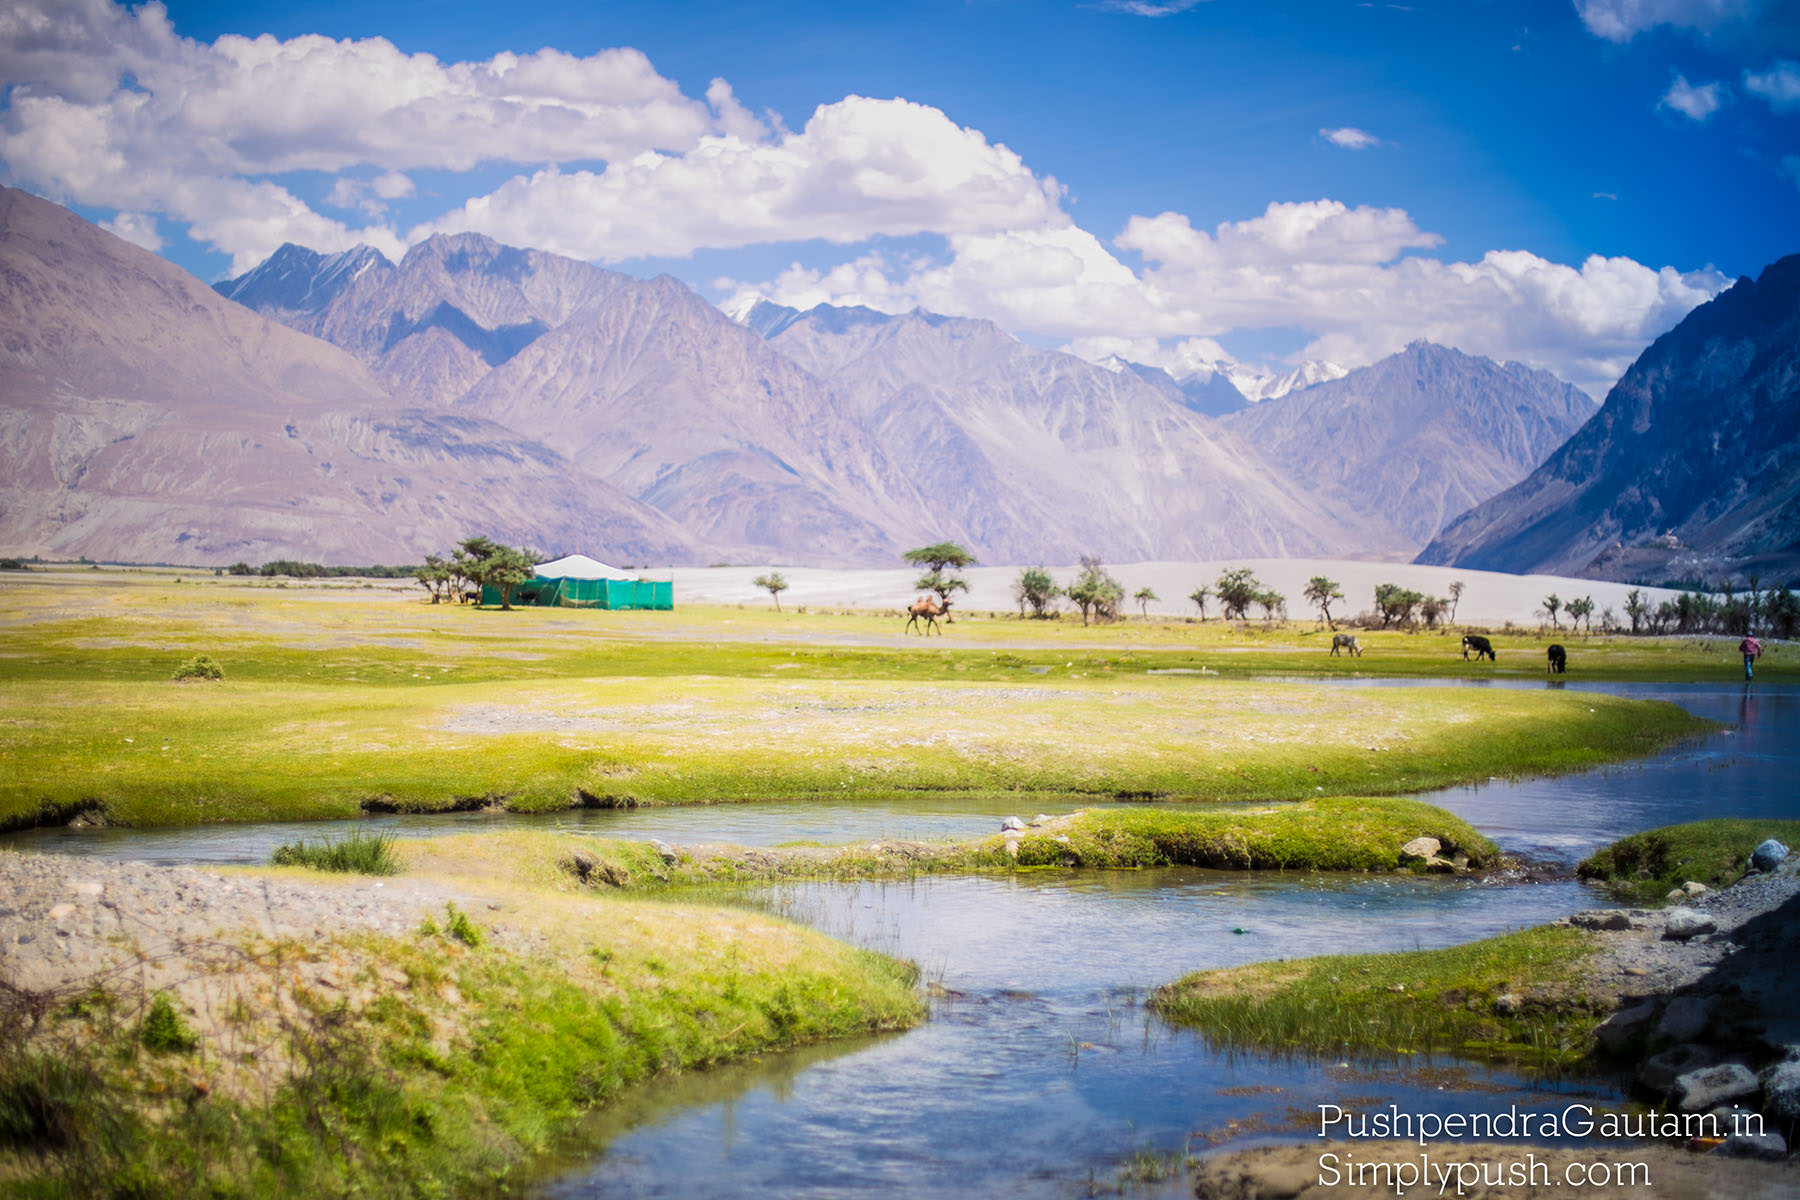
(354, 409)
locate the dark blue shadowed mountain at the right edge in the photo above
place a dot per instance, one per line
(1691, 467)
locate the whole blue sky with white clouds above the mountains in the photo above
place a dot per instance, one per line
(1088, 175)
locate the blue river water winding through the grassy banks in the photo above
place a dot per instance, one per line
(1039, 1071)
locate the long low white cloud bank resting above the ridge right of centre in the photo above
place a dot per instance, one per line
(1349, 278)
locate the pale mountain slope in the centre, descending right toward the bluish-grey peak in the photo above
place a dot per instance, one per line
(1038, 456)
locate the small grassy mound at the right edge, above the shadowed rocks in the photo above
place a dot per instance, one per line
(1648, 866)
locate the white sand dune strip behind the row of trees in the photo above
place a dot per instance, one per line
(1489, 598)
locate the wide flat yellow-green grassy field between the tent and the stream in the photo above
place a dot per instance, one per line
(341, 701)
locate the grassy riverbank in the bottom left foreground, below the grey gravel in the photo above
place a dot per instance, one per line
(426, 1066)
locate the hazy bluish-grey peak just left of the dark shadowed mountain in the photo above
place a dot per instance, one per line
(1419, 436)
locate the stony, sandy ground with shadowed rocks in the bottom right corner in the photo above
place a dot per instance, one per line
(1707, 1023)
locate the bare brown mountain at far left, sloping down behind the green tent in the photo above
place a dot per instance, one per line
(150, 420)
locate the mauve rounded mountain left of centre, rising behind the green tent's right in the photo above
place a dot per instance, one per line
(660, 393)
